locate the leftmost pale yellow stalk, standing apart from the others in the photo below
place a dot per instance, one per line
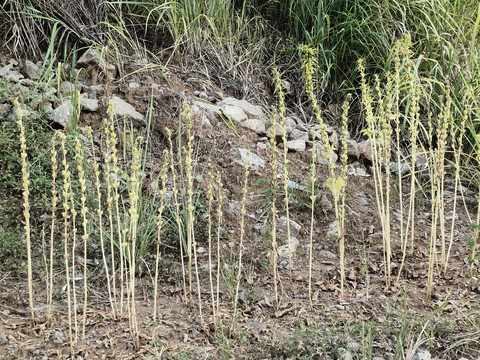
(26, 203)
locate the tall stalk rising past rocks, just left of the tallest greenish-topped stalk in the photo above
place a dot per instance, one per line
(281, 108)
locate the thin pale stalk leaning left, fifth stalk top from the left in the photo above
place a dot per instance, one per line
(96, 170)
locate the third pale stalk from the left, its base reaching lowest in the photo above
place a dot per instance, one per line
(66, 226)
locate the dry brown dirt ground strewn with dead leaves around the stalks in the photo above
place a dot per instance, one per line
(367, 317)
